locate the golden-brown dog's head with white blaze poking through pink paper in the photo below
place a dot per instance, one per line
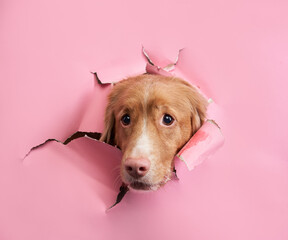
(150, 118)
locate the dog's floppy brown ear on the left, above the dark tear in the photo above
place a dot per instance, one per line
(108, 134)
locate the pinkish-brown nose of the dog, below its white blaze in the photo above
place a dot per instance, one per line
(137, 167)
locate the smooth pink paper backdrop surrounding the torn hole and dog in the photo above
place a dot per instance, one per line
(238, 53)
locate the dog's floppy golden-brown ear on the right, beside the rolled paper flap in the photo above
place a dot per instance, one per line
(198, 109)
